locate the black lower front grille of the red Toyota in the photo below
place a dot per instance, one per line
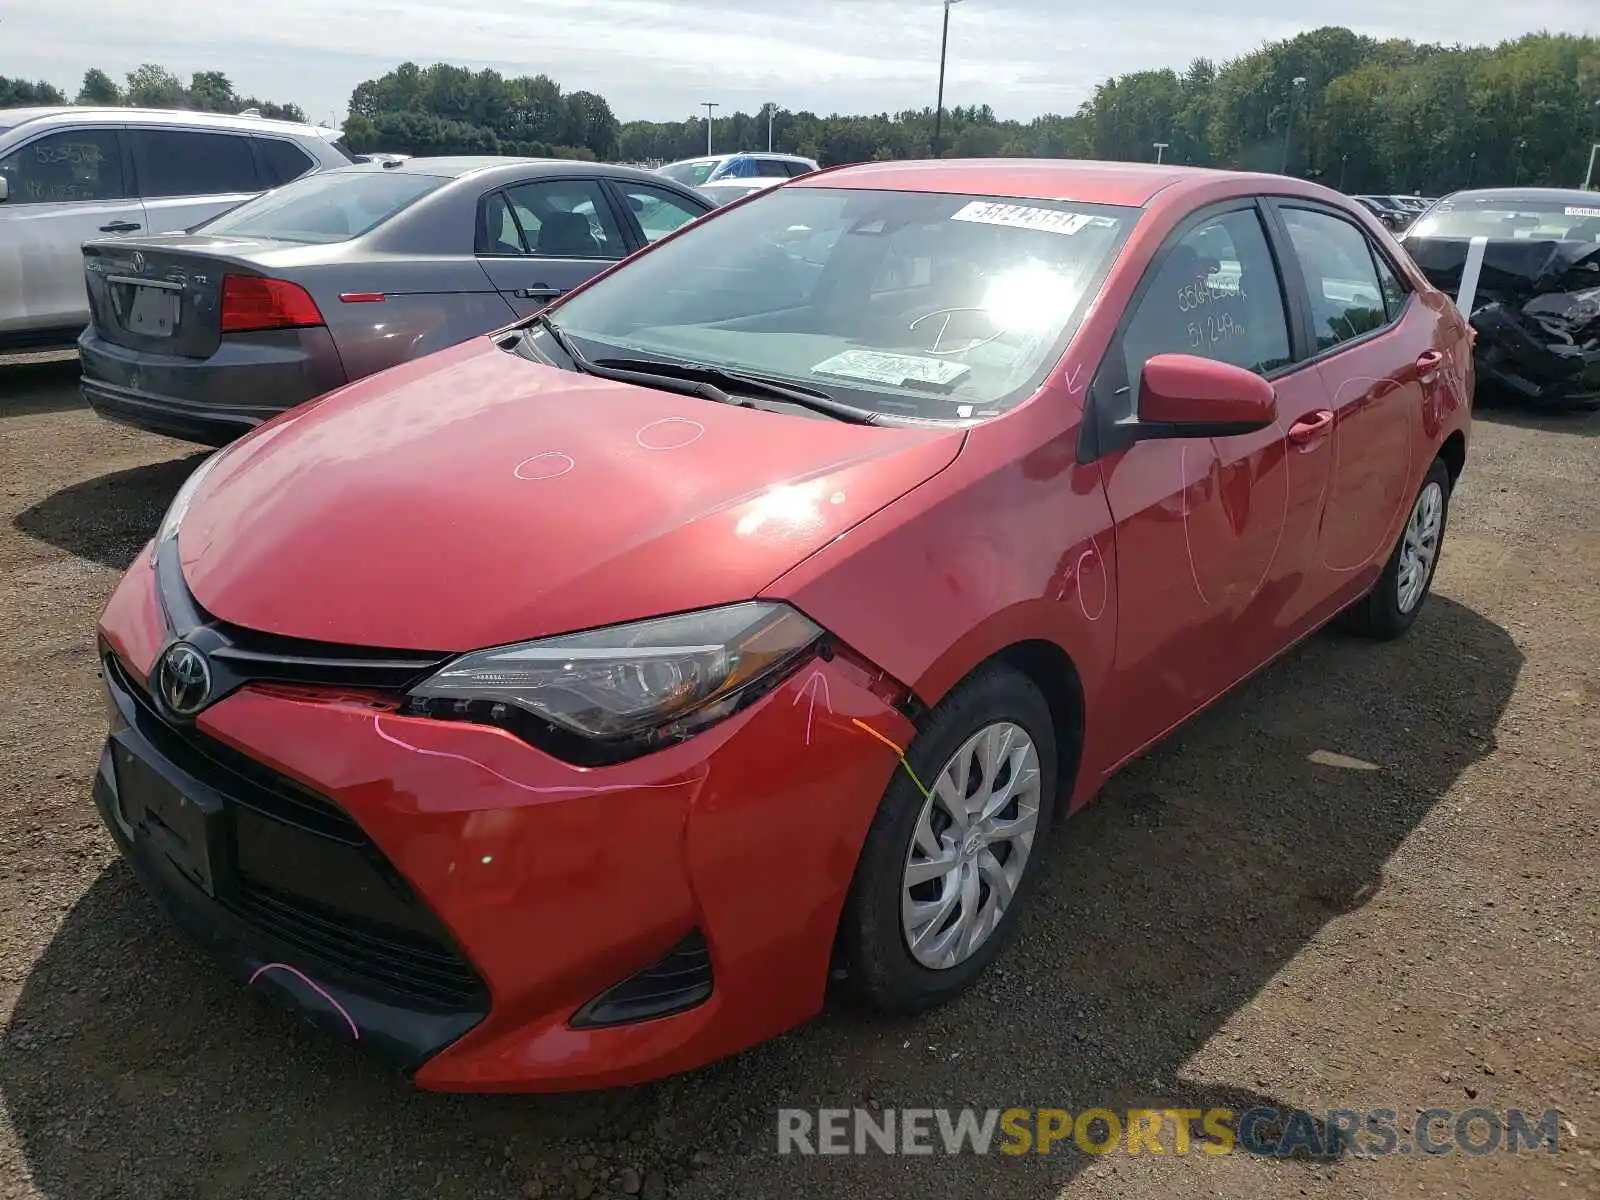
(306, 876)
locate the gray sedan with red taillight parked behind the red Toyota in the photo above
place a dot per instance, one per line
(334, 278)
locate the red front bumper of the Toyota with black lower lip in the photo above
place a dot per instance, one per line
(550, 884)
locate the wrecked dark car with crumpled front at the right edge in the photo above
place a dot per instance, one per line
(1524, 263)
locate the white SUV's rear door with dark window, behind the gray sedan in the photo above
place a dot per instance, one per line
(186, 177)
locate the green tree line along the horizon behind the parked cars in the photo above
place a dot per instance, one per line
(1356, 113)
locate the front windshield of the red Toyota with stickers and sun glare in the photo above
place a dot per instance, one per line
(905, 303)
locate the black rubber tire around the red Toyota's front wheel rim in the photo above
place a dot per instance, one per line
(879, 966)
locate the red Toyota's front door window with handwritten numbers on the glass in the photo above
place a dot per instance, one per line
(1215, 295)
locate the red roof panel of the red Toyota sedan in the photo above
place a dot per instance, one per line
(1086, 182)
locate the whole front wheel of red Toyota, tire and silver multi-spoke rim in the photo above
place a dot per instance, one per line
(951, 855)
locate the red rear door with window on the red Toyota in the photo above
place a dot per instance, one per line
(1375, 351)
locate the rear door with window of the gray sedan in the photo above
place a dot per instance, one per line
(542, 239)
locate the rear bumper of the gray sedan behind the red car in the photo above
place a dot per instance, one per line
(249, 380)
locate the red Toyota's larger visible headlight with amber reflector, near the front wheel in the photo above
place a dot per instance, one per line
(626, 689)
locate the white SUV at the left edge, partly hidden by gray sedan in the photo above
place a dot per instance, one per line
(71, 175)
